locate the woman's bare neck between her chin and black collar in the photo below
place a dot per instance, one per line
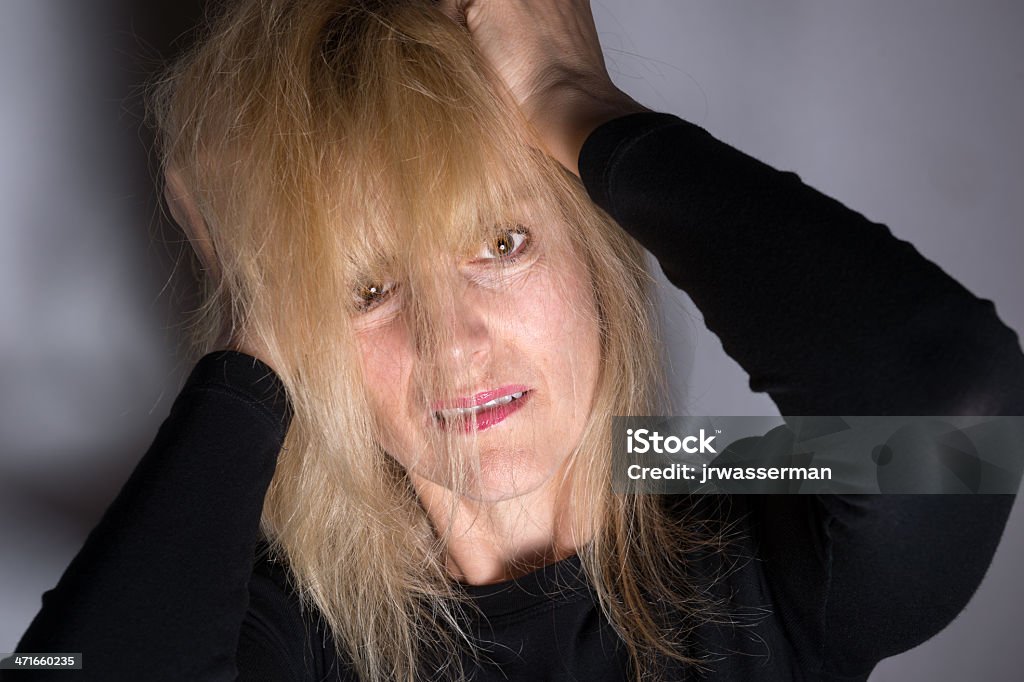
(494, 541)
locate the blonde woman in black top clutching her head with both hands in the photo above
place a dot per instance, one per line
(445, 325)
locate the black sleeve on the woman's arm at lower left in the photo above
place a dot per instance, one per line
(159, 591)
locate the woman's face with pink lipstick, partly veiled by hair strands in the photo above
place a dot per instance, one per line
(524, 353)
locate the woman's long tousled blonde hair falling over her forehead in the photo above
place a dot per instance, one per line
(319, 141)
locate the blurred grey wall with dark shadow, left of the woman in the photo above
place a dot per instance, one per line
(100, 282)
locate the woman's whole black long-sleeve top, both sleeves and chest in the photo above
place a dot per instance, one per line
(827, 312)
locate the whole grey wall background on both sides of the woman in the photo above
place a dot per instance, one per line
(908, 111)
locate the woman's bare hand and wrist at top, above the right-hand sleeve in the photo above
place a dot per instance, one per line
(549, 57)
